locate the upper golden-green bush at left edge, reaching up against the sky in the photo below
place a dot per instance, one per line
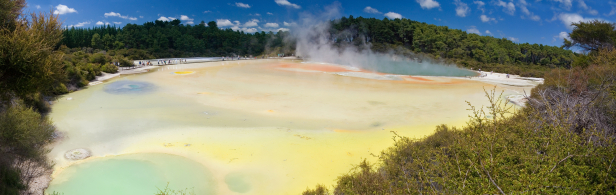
(28, 62)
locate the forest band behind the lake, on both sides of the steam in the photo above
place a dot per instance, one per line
(162, 39)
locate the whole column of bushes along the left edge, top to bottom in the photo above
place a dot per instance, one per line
(29, 66)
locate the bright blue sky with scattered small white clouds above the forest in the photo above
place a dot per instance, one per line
(534, 21)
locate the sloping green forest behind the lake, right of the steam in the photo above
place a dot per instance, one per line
(442, 42)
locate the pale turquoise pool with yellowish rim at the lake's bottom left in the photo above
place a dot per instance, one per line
(134, 174)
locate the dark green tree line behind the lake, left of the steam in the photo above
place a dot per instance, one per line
(160, 39)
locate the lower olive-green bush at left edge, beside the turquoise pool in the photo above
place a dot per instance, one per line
(24, 135)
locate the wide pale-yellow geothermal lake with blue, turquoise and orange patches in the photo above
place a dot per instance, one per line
(245, 127)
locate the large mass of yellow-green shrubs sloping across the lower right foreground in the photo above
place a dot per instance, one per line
(549, 147)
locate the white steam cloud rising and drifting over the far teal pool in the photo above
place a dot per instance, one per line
(314, 43)
